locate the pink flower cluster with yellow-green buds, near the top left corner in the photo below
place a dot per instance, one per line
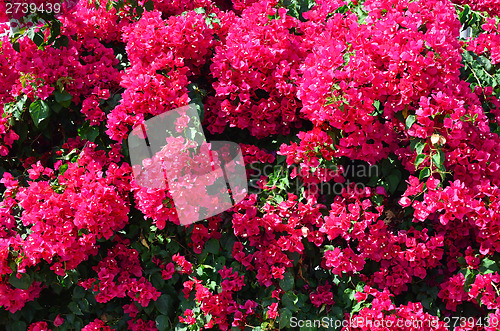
(77, 69)
